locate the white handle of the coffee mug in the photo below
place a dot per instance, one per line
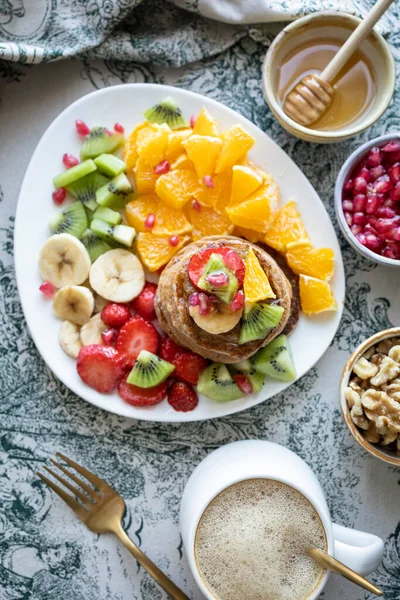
(360, 551)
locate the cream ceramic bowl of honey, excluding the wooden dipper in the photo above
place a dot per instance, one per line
(363, 89)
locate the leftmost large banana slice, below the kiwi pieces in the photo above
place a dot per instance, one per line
(64, 260)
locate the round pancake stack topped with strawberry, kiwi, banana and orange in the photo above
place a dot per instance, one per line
(223, 298)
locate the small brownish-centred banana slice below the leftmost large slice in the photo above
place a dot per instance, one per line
(74, 303)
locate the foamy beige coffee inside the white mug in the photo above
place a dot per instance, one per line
(252, 540)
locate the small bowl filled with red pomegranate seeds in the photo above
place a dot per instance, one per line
(367, 200)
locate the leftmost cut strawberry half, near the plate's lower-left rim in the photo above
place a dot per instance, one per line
(100, 367)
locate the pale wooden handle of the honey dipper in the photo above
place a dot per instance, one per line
(353, 42)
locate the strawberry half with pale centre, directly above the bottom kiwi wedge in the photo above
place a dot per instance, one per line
(137, 334)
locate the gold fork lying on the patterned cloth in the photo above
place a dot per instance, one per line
(102, 510)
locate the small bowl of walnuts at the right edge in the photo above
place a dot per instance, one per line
(370, 395)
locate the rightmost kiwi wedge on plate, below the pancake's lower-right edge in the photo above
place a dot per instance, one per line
(276, 360)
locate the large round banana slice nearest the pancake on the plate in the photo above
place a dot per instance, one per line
(117, 275)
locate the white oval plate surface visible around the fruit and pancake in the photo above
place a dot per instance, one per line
(126, 104)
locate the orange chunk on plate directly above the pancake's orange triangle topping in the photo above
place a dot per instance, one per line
(256, 212)
